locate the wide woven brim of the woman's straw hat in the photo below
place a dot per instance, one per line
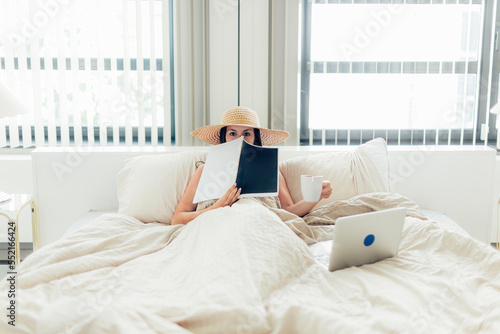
(210, 134)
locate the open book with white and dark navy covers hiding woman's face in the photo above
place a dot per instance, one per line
(254, 169)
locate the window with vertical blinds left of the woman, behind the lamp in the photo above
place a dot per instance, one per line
(92, 71)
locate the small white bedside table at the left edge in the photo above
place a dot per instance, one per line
(11, 210)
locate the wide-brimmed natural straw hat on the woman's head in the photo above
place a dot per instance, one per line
(239, 116)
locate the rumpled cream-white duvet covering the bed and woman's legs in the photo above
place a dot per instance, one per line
(247, 269)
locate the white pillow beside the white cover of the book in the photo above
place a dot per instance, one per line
(150, 186)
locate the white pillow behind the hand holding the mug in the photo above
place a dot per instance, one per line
(364, 169)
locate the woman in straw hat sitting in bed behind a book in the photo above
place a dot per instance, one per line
(237, 122)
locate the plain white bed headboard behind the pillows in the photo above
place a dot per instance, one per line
(458, 181)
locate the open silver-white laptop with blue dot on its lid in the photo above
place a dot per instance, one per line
(364, 238)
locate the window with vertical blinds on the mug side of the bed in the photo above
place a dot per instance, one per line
(408, 71)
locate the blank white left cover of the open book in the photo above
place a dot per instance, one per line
(219, 172)
